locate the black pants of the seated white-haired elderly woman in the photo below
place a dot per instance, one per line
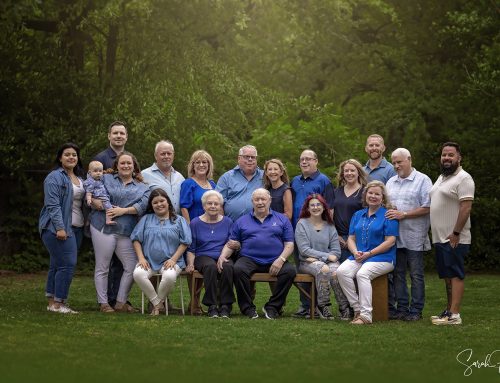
(213, 280)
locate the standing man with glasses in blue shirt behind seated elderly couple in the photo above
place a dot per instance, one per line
(238, 184)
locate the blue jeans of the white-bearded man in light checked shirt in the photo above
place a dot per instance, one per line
(413, 261)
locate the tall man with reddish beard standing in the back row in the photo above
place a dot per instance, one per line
(377, 167)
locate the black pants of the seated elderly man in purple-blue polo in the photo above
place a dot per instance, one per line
(243, 270)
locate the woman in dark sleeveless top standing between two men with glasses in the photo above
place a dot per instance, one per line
(277, 182)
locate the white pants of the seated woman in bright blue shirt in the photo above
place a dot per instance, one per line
(364, 273)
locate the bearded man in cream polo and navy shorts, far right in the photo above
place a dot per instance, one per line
(451, 204)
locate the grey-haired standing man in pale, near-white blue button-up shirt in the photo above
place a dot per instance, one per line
(163, 175)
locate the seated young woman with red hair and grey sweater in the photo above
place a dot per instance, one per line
(319, 249)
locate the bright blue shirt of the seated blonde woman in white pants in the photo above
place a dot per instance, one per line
(371, 232)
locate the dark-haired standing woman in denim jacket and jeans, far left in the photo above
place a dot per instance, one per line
(60, 225)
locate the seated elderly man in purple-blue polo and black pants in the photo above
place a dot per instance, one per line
(266, 240)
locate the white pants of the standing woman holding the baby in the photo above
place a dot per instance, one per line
(104, 247)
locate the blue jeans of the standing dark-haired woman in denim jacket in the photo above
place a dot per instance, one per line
(63, 256)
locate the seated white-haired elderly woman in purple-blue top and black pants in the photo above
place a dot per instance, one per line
(210, 233)
